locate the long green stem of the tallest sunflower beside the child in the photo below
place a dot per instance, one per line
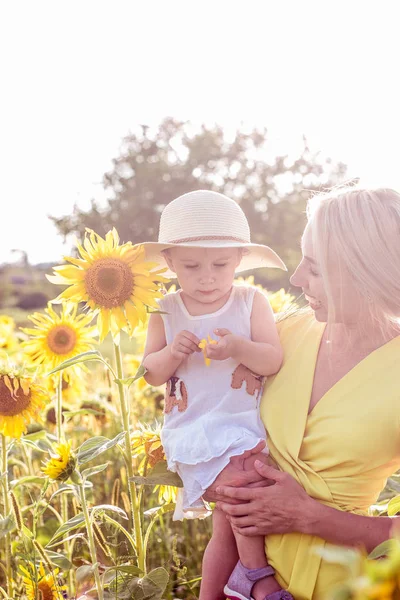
(133, 496)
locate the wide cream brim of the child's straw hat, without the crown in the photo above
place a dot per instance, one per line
(256, 256)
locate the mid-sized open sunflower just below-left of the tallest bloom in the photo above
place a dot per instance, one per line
(57, 338)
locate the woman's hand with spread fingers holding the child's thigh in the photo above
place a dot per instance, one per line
(280, 508)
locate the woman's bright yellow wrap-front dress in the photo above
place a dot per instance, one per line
(341, 453)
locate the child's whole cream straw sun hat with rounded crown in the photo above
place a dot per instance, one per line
(206, 219)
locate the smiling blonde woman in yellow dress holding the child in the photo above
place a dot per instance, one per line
(333, 410)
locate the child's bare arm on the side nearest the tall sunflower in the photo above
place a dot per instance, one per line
(161, 359)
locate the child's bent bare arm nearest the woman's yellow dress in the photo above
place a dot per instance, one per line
(263, 353)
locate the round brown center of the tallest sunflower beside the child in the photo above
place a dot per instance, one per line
(109, 282)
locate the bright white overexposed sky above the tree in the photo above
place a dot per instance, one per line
(78, 76)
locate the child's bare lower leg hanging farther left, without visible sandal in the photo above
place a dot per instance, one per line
(219, 560)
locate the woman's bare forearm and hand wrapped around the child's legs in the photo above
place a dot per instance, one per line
(286, 508)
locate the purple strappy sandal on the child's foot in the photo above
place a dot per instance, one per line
(242, 581)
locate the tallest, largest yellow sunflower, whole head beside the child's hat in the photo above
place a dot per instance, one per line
(113, 280)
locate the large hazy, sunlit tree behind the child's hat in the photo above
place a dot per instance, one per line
(157, 165)
